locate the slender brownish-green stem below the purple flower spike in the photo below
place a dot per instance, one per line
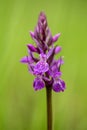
(49, 107)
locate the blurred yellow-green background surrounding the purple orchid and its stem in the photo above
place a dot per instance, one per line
(21, 108)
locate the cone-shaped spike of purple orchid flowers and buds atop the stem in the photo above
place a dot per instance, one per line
(45, 68)
